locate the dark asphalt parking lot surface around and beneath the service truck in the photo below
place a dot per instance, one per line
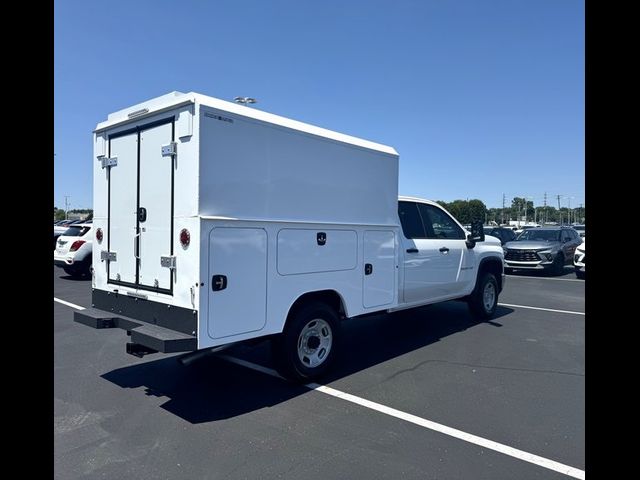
(517, 380)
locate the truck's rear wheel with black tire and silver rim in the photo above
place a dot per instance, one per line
(311, 335)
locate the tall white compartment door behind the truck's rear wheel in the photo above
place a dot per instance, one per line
(238, 281)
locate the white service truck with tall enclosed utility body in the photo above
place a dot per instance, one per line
(216, 223)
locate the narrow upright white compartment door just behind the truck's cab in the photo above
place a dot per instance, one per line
(379, 281)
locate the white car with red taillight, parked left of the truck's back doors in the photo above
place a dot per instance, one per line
(73, 251)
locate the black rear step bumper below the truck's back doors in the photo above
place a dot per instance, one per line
(146, 337)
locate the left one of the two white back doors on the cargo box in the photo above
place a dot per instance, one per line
(122, 201)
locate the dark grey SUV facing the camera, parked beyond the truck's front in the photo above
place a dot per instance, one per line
(542, 248)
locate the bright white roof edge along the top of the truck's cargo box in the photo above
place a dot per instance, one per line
(175, 99)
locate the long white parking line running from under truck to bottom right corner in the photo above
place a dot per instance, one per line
(437, 427)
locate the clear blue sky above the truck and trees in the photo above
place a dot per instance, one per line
(479, 98)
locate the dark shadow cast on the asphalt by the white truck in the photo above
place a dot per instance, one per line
(213, 389)
